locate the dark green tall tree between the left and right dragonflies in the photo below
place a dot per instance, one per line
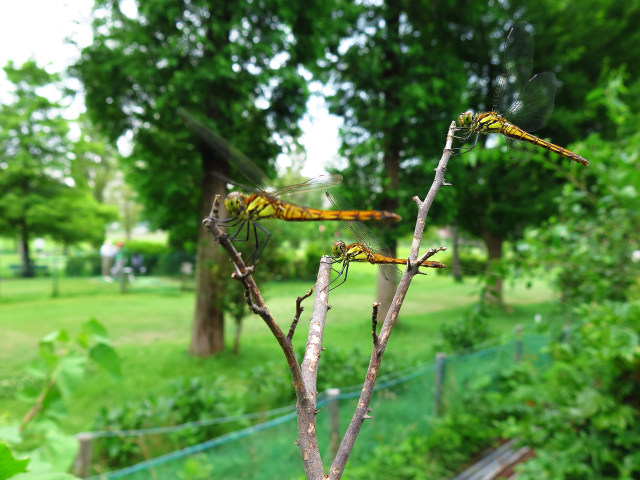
(394, 72)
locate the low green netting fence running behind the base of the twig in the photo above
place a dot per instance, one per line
(402, 404)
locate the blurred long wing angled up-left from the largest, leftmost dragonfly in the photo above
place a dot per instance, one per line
(232, 155)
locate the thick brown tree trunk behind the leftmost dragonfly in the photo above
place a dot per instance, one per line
(208, 323)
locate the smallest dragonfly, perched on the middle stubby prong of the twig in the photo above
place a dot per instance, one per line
(368, 248)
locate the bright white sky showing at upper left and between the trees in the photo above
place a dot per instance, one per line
(38, 28)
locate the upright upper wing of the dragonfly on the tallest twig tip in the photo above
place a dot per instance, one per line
(517, 65)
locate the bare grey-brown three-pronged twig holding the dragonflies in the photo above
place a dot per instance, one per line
(304, 375)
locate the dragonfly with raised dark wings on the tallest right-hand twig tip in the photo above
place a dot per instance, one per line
(521, 104)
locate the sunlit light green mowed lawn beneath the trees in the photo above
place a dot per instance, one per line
(151, 325)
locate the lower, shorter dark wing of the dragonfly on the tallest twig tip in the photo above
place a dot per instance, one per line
(532, 109)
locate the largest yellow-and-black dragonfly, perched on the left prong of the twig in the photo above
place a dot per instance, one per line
(246, 210)
